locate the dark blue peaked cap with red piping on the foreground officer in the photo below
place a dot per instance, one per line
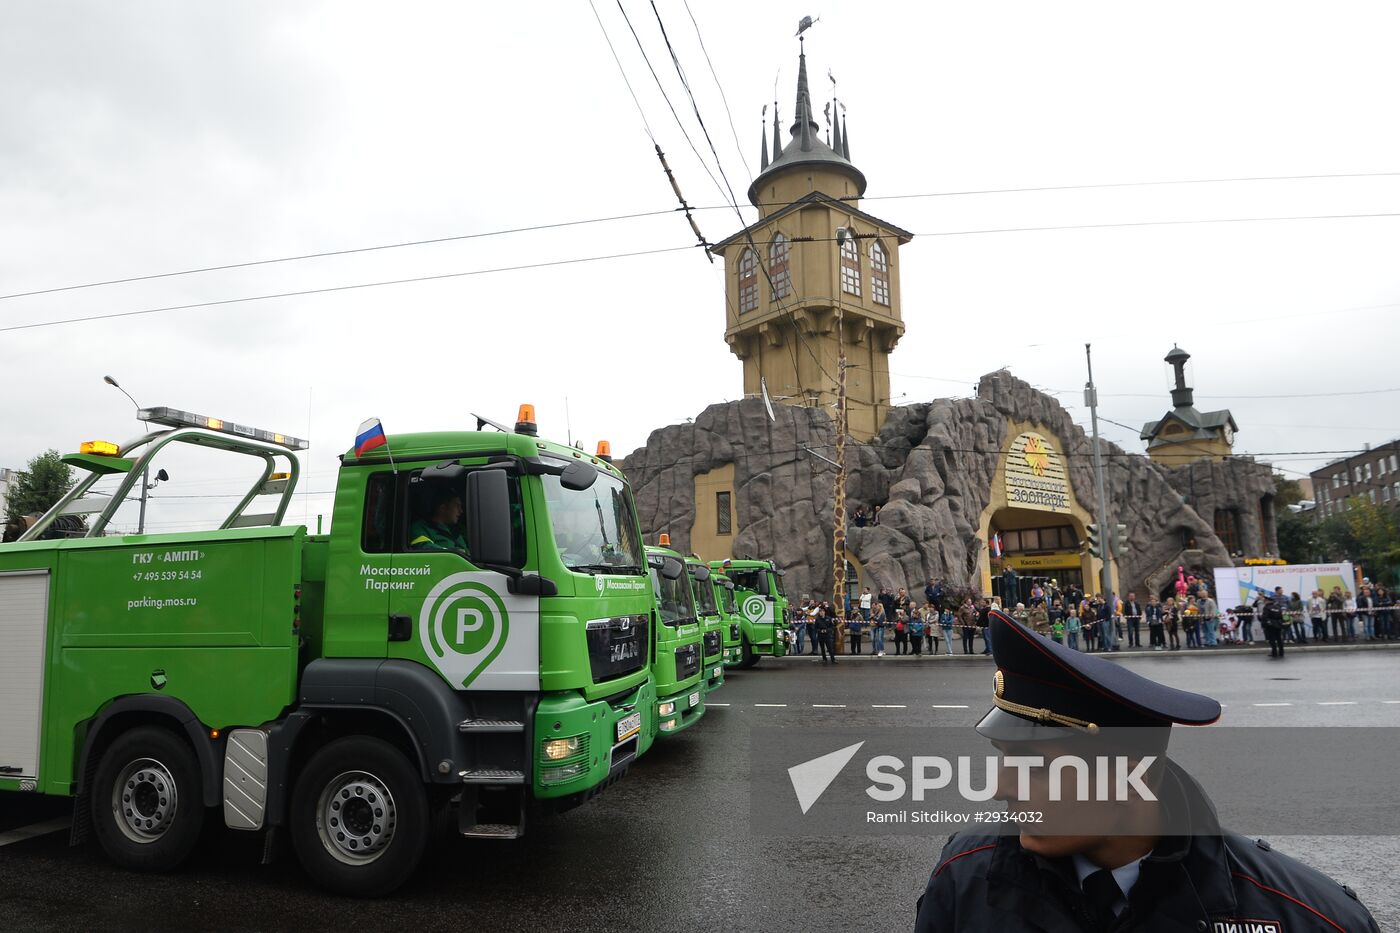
(1044, 690)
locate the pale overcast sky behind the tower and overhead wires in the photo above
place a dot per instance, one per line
(148, 138)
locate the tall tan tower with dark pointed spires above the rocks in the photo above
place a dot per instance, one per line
(786, 275)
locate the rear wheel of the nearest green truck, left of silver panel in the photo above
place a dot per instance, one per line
(148, 801)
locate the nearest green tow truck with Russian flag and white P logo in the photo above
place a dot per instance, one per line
(472, 635)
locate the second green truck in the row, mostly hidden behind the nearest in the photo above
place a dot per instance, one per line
(677, 666)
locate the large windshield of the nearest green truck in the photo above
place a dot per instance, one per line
(596, 529)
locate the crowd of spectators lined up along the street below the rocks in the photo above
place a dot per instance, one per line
(1093, 623)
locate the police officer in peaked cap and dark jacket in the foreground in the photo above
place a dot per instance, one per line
(1086, 878)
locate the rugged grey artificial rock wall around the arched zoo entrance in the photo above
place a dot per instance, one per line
(932, 470)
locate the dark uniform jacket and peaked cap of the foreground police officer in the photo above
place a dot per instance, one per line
(1210, 880)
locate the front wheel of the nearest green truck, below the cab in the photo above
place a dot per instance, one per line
(359, 817)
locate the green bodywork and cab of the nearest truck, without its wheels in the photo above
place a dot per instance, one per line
(226, 621)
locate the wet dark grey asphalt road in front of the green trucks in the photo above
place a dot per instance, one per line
(671, 847)
